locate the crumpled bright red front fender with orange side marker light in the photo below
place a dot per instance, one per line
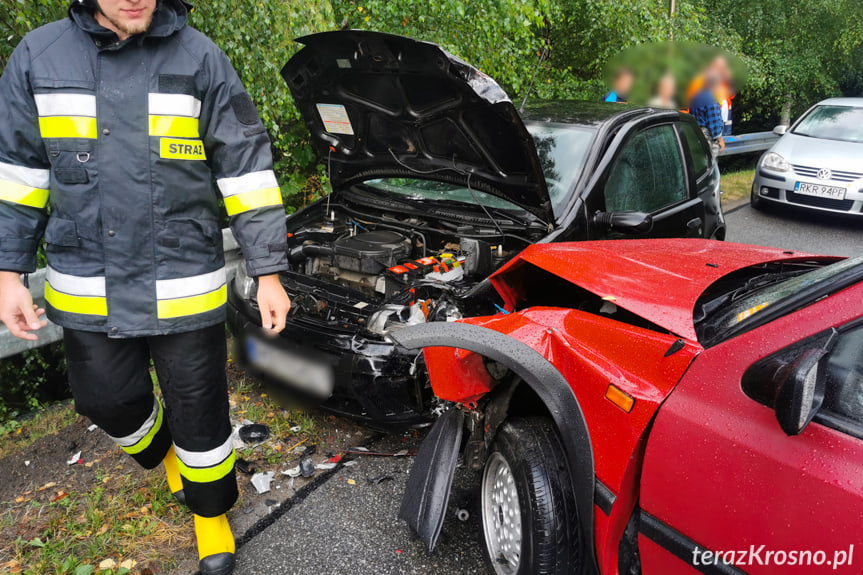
(591, 352)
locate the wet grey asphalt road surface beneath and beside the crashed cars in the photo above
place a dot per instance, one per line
(345, 527)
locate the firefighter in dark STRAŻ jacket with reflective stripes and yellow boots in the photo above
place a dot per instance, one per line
(114, 124)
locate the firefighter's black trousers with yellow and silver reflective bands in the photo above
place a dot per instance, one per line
(111, 384)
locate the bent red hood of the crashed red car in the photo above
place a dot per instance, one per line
(659, 280)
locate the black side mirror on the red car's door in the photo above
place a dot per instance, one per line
(801, 385)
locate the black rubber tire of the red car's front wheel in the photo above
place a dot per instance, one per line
(551, 539)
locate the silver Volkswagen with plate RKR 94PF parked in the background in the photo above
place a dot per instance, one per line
(818, 162)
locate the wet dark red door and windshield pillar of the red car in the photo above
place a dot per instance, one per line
(719, 469)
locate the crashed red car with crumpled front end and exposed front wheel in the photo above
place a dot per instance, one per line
(656, 407)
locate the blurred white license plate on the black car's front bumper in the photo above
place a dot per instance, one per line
(295, 370)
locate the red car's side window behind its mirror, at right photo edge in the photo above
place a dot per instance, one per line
(844, 393)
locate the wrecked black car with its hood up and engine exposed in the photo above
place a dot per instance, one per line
(437, 181)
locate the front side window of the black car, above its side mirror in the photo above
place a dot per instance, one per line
(648, 175)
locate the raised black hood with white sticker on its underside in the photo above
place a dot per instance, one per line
(380, 105)
